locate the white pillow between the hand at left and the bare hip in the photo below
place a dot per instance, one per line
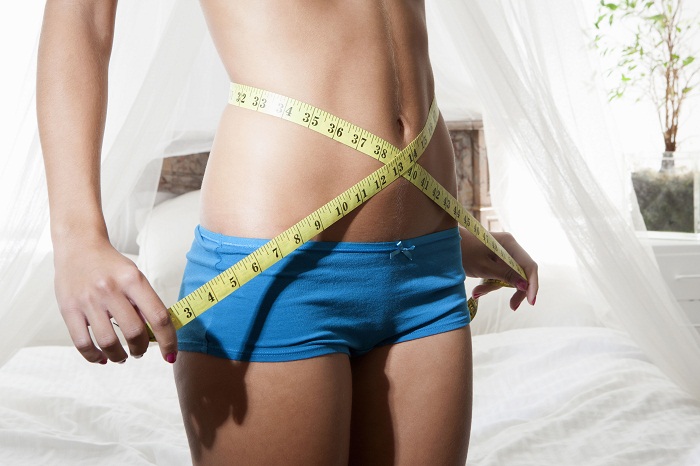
(164, 241)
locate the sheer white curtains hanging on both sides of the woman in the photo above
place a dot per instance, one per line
(519, 63)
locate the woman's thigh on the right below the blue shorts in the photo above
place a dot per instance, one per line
(412, 402)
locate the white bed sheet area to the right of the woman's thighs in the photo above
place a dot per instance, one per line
(577, 396)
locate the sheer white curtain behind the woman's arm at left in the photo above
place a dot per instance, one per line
(156, 47)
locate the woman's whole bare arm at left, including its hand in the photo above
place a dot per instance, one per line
(94, 282)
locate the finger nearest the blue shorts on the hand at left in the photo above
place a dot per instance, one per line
(156, 314)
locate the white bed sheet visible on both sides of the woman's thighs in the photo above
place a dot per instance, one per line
(543, 396)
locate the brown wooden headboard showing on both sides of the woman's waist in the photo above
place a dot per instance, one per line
(184, 173)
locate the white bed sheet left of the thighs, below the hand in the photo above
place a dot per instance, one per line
(57, 409)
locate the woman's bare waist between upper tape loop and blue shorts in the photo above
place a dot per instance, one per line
(264, 174)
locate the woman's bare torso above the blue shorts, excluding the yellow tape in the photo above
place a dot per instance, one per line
(365, 61)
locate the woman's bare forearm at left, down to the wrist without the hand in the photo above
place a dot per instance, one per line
(73, 59)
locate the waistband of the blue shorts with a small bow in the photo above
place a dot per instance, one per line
(220, 242)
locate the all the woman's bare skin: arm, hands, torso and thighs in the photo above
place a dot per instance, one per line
(365, 61)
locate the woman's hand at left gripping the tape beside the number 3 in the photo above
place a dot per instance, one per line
(94, 283)
